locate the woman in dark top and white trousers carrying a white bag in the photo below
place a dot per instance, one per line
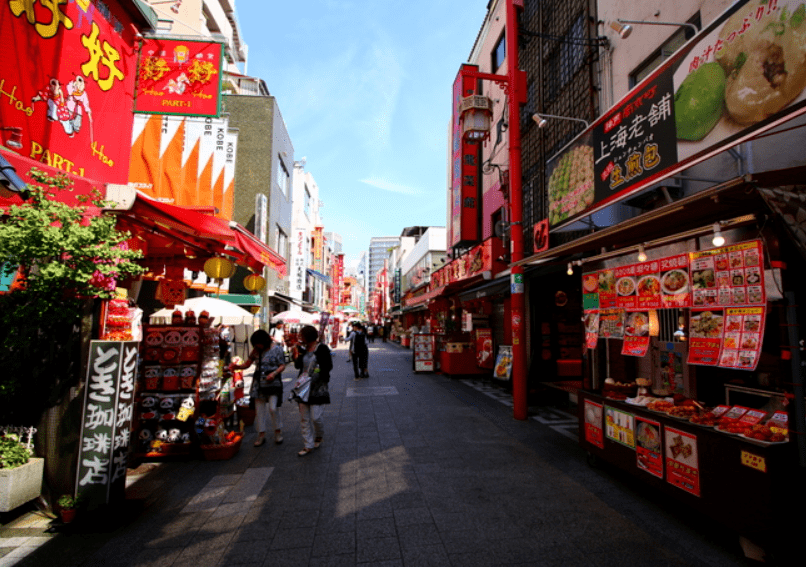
(314, 360)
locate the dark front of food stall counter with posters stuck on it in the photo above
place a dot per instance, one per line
(743, 484)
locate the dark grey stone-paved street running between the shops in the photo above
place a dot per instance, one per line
(414, 470)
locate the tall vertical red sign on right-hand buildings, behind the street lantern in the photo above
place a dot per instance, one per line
(464, 192)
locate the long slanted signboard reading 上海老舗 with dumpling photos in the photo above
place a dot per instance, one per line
(742, 75)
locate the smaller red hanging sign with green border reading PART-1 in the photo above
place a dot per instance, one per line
(179, 77)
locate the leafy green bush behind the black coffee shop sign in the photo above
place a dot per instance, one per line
(67, 256)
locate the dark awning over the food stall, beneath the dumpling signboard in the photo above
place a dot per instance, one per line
(731, 199)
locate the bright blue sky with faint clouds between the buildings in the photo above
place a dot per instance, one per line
(364, 88)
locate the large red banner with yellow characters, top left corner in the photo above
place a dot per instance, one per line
(67, 82)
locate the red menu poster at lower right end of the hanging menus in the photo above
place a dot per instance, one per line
(744, 330)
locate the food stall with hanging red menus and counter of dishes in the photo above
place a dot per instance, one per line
(688, 386)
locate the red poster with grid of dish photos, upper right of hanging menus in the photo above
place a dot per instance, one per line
(731, 275)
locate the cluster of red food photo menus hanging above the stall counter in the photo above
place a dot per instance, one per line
(724, 287)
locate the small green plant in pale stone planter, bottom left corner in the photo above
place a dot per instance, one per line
(20, 474)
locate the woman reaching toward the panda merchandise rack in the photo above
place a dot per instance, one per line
(267, 384)
